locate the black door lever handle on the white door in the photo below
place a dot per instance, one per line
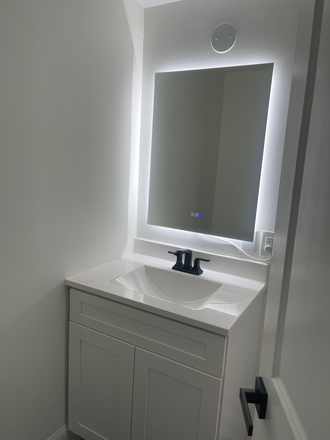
(258, 396)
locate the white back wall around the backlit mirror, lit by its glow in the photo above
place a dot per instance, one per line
(177, 37)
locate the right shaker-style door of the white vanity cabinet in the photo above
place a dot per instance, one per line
(172, 401)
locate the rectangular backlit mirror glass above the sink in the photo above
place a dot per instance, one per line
(207, 147)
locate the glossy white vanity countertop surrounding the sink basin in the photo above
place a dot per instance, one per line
(218, 315)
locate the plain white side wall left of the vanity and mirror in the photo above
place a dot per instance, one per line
(65, 116)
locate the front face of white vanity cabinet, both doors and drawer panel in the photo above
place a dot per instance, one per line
(134, 375)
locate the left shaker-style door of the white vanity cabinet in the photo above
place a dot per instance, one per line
(100, 385)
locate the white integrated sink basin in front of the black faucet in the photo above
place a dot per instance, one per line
(168, 285)
